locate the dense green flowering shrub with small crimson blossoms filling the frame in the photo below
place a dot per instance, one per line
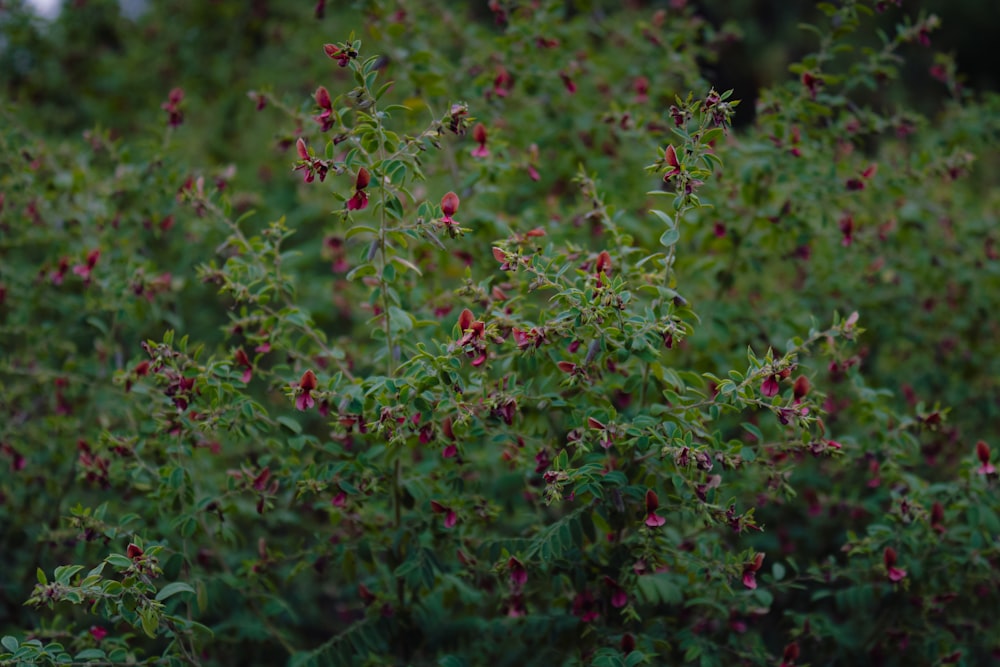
(527, 367)
